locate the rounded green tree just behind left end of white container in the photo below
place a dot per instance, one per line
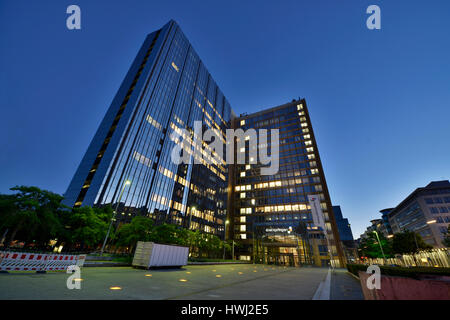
(139, 229)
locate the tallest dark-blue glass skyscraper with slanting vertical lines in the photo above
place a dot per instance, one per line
(166, 89)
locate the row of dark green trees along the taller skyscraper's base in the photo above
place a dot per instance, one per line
(36, 216)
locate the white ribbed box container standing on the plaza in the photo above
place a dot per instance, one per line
(150, 254)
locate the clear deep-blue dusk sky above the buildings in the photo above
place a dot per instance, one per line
(379, 99)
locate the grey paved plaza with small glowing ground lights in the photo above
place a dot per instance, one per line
(193, 282)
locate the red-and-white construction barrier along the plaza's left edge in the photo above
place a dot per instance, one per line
(23, 261)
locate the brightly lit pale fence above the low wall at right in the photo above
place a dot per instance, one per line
(426, 258)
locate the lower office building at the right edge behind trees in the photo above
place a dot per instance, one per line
(425, 211)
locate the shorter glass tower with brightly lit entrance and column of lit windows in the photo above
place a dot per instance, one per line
(271, 214)
